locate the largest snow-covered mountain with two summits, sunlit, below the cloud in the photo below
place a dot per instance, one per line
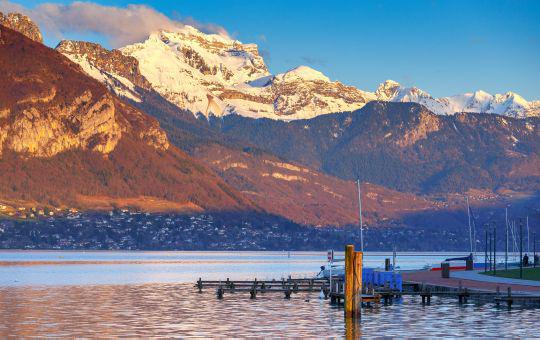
(211, 74)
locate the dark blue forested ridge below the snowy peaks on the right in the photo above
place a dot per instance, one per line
(404, 146)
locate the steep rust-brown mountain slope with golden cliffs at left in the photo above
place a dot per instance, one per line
(66, 140)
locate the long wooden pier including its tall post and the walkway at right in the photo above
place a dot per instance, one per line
(423, 284)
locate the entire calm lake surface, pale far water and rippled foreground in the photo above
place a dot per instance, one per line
(158, 299)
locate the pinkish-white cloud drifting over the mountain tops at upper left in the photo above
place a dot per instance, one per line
(120, 25)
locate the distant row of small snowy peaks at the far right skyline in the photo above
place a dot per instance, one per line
(508, 104)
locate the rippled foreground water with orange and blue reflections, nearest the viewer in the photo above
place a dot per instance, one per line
(178, 310)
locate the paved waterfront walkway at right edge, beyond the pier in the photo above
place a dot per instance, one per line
(474, 281)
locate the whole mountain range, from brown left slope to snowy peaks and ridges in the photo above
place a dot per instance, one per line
(189, 121)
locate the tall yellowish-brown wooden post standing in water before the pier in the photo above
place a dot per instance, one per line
(353, 282)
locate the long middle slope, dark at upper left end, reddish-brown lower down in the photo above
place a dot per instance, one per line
(283, 188)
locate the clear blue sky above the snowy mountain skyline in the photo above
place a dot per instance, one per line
(443, 47)
